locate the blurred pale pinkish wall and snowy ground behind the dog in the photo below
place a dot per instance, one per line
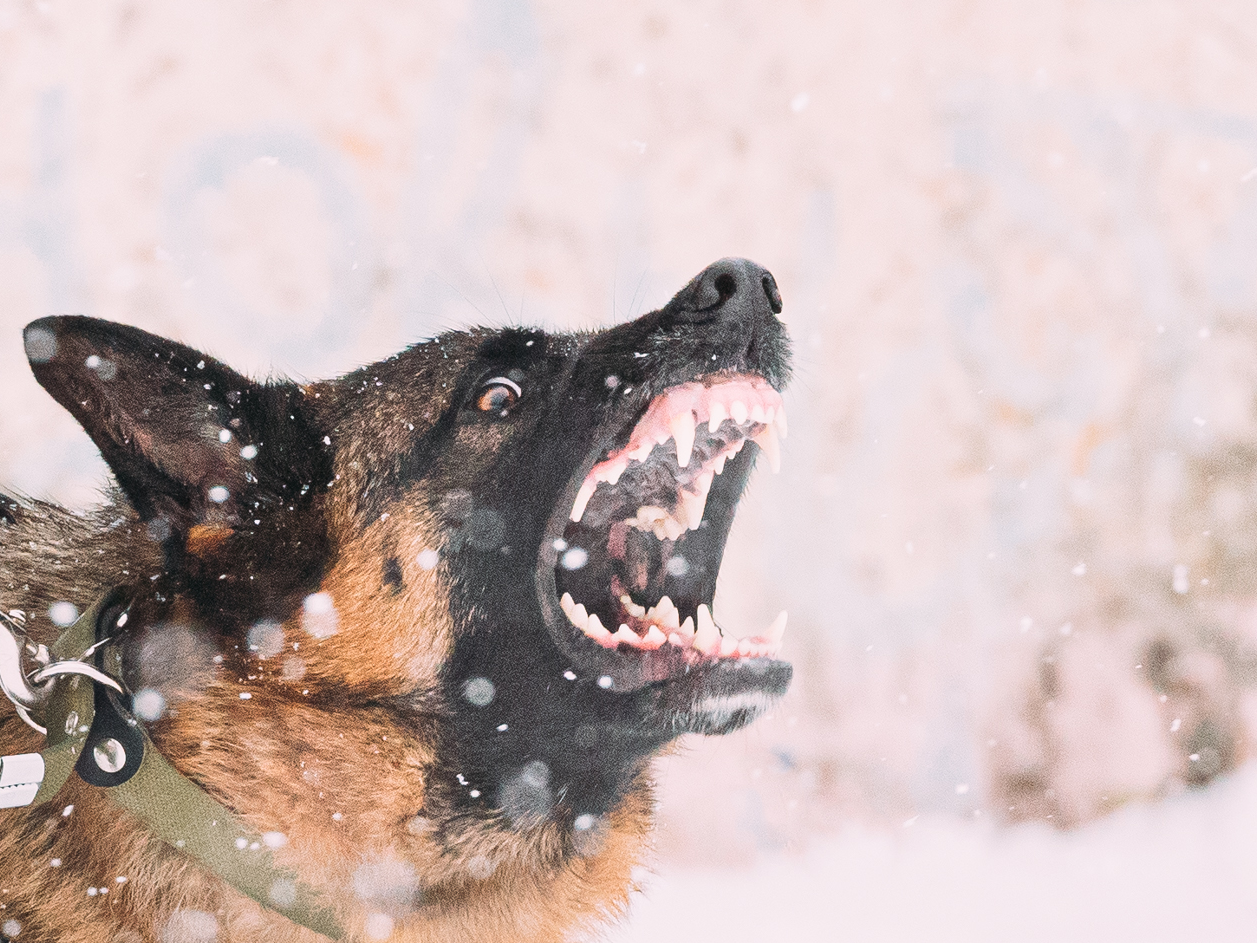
(1018, 522)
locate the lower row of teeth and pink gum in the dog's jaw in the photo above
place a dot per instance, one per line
(666, 628)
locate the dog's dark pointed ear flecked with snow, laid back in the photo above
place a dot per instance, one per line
(190, 441)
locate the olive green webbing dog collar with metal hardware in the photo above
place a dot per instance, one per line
(79, 702)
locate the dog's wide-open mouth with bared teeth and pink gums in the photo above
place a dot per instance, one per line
(637, 565)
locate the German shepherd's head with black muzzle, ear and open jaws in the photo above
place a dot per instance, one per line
(505, 539)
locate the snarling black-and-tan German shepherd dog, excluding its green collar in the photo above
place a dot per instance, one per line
(424, 626)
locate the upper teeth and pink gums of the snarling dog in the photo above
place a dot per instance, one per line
(676, 417)
